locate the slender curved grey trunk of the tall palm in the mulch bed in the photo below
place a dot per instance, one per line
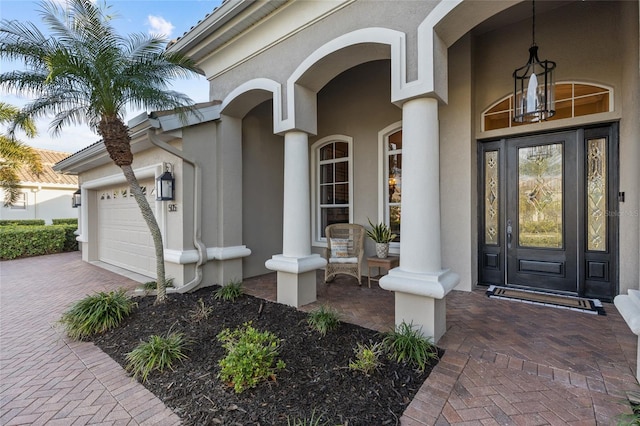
(152, 223)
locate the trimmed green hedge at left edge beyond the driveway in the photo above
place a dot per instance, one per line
(26, 241)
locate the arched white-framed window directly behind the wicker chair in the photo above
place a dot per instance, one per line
(333, 188)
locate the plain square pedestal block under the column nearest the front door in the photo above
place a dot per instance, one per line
(423, 312)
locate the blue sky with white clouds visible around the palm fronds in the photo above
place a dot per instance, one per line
(171, 18)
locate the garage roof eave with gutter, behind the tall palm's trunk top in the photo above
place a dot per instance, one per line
(167, 123)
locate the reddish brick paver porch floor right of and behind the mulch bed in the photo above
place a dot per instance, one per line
(505, 363)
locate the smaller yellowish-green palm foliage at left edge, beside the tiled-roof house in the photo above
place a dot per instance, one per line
(15, 154)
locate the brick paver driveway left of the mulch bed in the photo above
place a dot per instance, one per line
(46, 379)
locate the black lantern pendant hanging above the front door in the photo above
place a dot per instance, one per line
(534, 92)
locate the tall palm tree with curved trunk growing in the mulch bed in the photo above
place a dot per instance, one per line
(83, 71)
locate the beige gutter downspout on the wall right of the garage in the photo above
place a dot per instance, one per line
(197, 206)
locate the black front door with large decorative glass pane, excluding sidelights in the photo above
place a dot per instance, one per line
(541, 223)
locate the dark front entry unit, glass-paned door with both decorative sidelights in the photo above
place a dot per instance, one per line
(547, 212)
